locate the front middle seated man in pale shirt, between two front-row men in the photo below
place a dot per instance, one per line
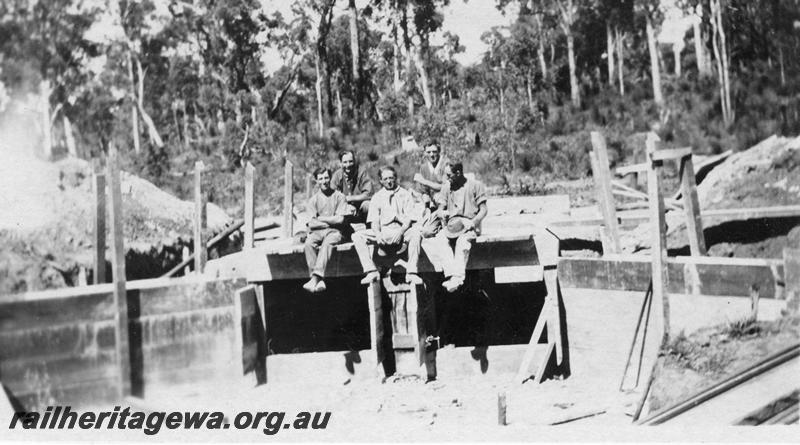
(391, 213)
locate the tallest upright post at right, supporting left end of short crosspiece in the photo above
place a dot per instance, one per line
(658, 221)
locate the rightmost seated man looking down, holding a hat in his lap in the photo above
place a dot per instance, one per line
(462, 209)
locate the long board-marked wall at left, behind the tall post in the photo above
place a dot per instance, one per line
(58, 347)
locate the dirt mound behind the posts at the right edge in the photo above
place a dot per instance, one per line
(765, 175)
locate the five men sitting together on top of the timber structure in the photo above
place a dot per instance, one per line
(442, 215)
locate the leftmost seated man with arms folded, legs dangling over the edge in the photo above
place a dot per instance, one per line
(327, 209)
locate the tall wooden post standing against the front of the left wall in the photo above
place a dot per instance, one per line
(118, 266)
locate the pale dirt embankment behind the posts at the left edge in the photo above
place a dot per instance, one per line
(47, 223)
